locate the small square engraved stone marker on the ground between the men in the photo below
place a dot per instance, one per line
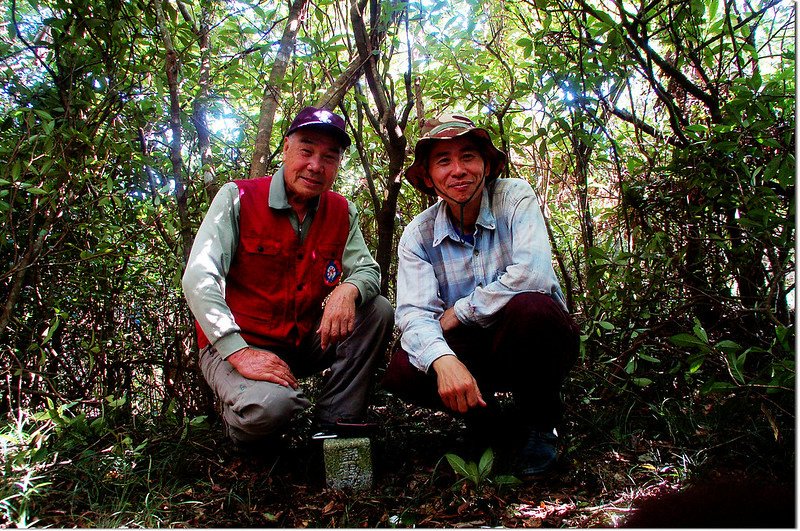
(348, 463)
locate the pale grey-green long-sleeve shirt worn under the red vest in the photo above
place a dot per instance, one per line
(214, 248)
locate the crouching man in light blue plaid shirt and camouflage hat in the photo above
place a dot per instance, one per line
(478, 301)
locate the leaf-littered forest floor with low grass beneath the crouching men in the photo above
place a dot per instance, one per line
(62, 469)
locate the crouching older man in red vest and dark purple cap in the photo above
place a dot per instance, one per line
(282, 285)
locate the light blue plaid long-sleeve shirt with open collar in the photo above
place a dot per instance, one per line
(436, 270)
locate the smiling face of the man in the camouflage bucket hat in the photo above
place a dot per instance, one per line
(456, 170)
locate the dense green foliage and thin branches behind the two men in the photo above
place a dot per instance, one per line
(659, 138)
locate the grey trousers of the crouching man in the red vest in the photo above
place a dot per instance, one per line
(253, 409)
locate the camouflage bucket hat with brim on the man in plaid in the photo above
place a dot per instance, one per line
(445, 127)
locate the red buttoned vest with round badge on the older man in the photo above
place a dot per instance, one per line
(276, 285)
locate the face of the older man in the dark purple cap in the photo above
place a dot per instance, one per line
(310, 161)
